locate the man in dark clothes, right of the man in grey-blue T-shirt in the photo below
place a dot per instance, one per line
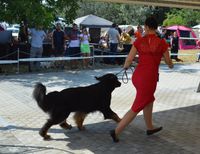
(58, 41)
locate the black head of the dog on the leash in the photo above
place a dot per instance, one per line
(110, 79)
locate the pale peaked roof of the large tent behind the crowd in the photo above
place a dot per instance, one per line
(92, 21)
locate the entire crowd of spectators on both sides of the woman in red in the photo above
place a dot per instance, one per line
(115, 41)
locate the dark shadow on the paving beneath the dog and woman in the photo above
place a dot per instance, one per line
(180, 135)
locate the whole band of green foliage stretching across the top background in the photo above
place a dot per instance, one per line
(43, 12)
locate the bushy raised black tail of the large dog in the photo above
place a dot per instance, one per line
(39, 93)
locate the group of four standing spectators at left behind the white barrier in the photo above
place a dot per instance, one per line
(78, 44)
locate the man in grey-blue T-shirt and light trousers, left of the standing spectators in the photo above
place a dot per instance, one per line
(37, 37)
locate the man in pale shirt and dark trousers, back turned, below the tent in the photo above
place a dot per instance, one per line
(114, 39)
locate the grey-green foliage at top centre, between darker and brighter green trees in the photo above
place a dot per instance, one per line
(119, 13)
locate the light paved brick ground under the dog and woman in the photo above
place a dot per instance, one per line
(177, 109)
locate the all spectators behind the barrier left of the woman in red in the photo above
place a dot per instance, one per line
(79, 43)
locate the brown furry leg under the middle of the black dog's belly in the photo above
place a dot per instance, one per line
(79, 118)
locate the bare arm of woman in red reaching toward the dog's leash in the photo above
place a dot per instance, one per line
(130, 57)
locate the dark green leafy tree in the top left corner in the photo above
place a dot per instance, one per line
(37, 11)
